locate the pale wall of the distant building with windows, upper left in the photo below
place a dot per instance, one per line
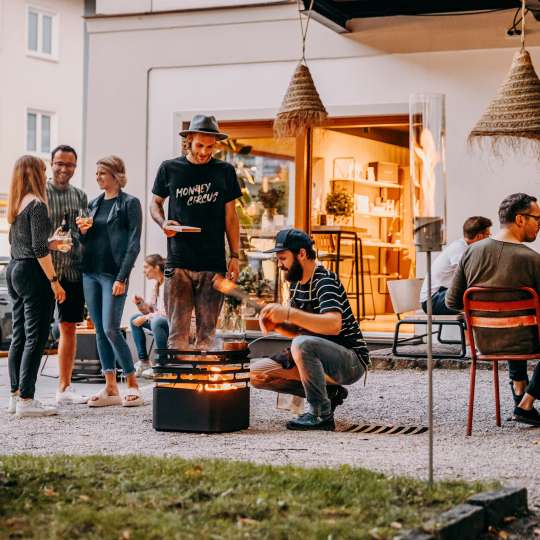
(33, 83)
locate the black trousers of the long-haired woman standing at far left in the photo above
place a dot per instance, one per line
(33, 307)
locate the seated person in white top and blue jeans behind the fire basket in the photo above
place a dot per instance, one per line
(151, 314)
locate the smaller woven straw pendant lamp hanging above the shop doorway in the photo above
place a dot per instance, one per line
(302, 107)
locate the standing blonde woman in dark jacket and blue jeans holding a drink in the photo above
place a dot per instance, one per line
(111, 245)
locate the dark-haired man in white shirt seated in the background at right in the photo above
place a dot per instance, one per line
(475, 228)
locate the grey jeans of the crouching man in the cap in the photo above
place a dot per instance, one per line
(318, 362)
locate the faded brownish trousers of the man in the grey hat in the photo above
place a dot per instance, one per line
(185, 291)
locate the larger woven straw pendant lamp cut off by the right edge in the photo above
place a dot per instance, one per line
(512, 119)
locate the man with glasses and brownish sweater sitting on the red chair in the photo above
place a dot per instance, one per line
(505, 261)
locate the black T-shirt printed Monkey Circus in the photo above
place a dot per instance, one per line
(197, 197)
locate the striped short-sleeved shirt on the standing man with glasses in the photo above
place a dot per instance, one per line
(70, 201)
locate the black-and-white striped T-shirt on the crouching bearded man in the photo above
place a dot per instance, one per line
(324, 293)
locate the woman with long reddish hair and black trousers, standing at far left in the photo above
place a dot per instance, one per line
(32, 283)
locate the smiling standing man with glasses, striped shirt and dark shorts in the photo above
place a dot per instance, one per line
(65, 202)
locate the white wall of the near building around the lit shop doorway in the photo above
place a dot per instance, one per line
(147, 73)
